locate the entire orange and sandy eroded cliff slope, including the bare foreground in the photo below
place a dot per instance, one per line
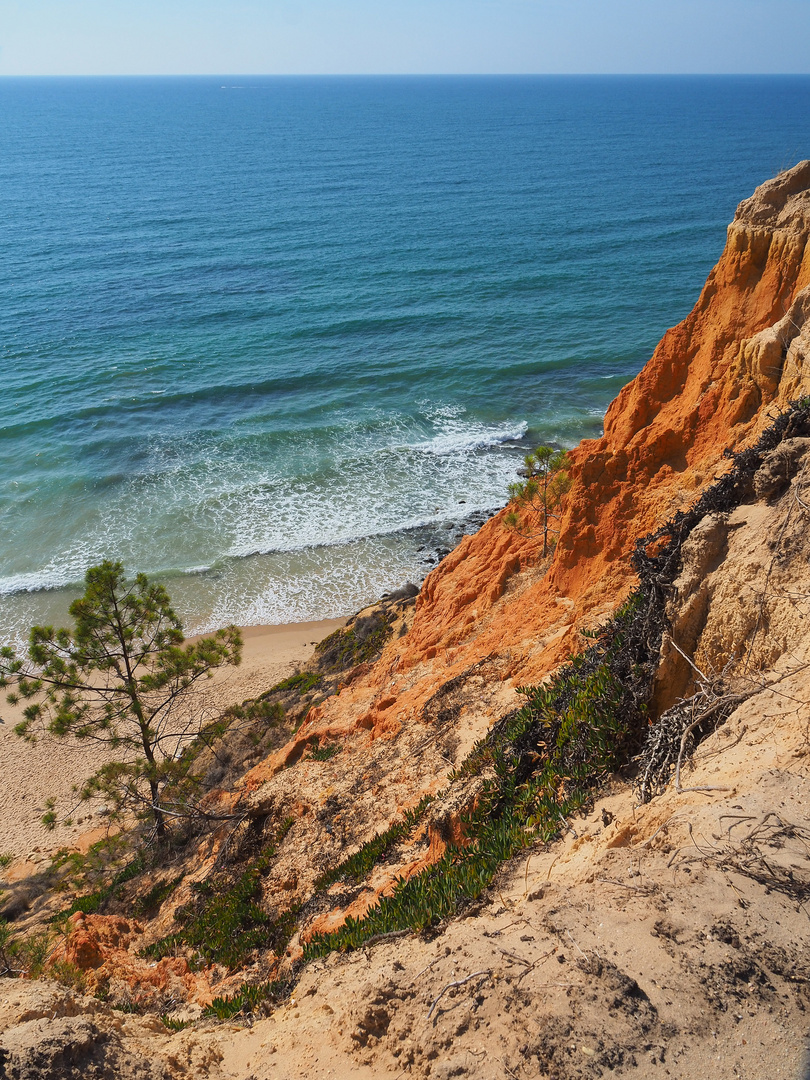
(639, 936)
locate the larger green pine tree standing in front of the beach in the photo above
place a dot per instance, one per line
(123, 678)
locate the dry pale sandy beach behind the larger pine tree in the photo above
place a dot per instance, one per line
(50, 768)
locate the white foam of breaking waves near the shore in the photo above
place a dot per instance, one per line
(231, 499)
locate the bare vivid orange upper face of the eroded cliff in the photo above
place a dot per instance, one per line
(712, 384)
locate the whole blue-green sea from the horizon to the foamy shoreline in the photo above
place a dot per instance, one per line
(274, 340)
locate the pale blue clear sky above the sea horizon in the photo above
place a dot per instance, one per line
(304, 37)
